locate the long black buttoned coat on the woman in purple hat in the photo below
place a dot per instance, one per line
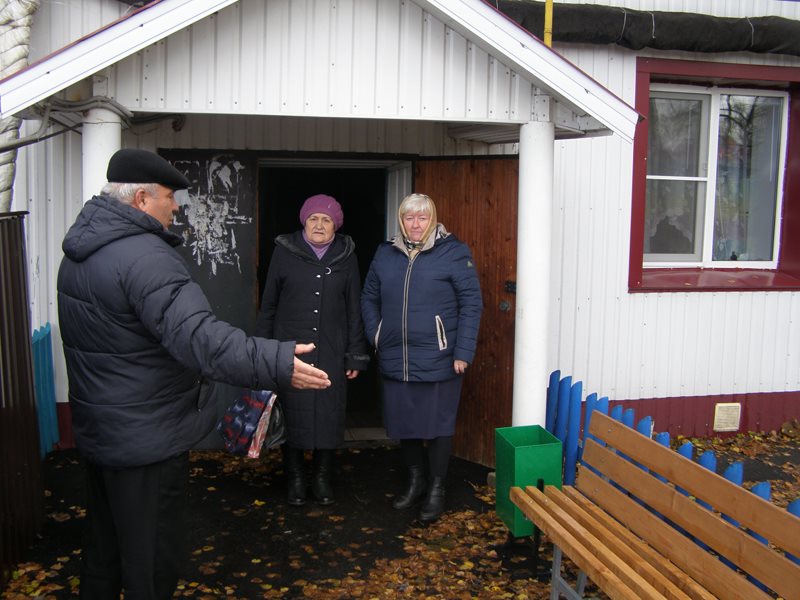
(316, 300)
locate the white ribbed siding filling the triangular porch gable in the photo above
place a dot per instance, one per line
(372, 59)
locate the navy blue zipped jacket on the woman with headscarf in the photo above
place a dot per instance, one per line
(422, 313)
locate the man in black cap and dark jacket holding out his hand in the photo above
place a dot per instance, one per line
(140, 341)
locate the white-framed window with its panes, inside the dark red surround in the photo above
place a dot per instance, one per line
(713, 153)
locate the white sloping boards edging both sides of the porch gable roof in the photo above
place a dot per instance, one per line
(476, 20)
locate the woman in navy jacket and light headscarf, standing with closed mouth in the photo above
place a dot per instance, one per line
(421, 305)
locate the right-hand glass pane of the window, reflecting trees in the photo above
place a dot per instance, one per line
(747, 177)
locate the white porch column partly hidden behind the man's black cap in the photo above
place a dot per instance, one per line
(102, 136)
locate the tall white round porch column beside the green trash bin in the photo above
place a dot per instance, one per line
(536, 146)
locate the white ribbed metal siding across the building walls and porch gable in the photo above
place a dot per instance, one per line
(621, 345)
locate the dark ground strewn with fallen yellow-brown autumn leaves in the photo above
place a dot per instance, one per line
(246, 543)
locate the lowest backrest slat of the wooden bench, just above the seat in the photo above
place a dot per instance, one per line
(704, 567)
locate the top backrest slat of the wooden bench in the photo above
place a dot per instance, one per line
(777, 525)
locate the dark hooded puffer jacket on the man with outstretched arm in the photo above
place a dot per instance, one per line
(140, 337)
